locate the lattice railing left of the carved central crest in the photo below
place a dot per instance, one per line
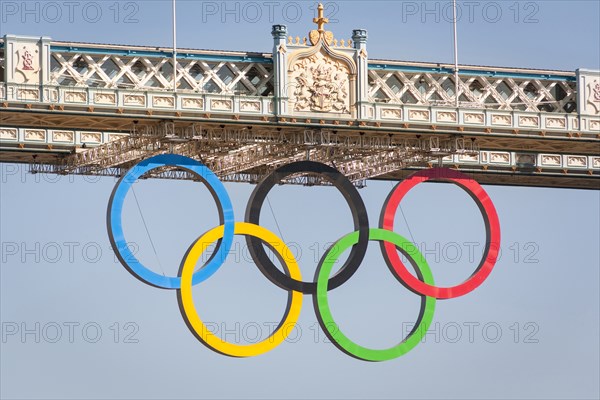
(110, 71)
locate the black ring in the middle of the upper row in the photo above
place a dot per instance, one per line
(359, 216)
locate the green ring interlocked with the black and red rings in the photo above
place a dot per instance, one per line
(323, 312)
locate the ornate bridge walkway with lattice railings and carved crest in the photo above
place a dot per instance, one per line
(98, 109)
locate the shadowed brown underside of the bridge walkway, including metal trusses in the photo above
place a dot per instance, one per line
(246, 150)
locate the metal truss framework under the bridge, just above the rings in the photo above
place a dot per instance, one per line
(249, 154)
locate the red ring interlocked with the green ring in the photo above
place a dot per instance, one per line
(492, 227)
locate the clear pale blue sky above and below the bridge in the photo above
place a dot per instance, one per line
(530, 331)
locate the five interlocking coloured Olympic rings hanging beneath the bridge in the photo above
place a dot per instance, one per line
(291, 280)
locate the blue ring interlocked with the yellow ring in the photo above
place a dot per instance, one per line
(115, 228)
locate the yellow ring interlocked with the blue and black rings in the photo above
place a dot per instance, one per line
(189, 309)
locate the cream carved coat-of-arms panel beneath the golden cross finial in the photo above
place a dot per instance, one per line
(320, 84)
